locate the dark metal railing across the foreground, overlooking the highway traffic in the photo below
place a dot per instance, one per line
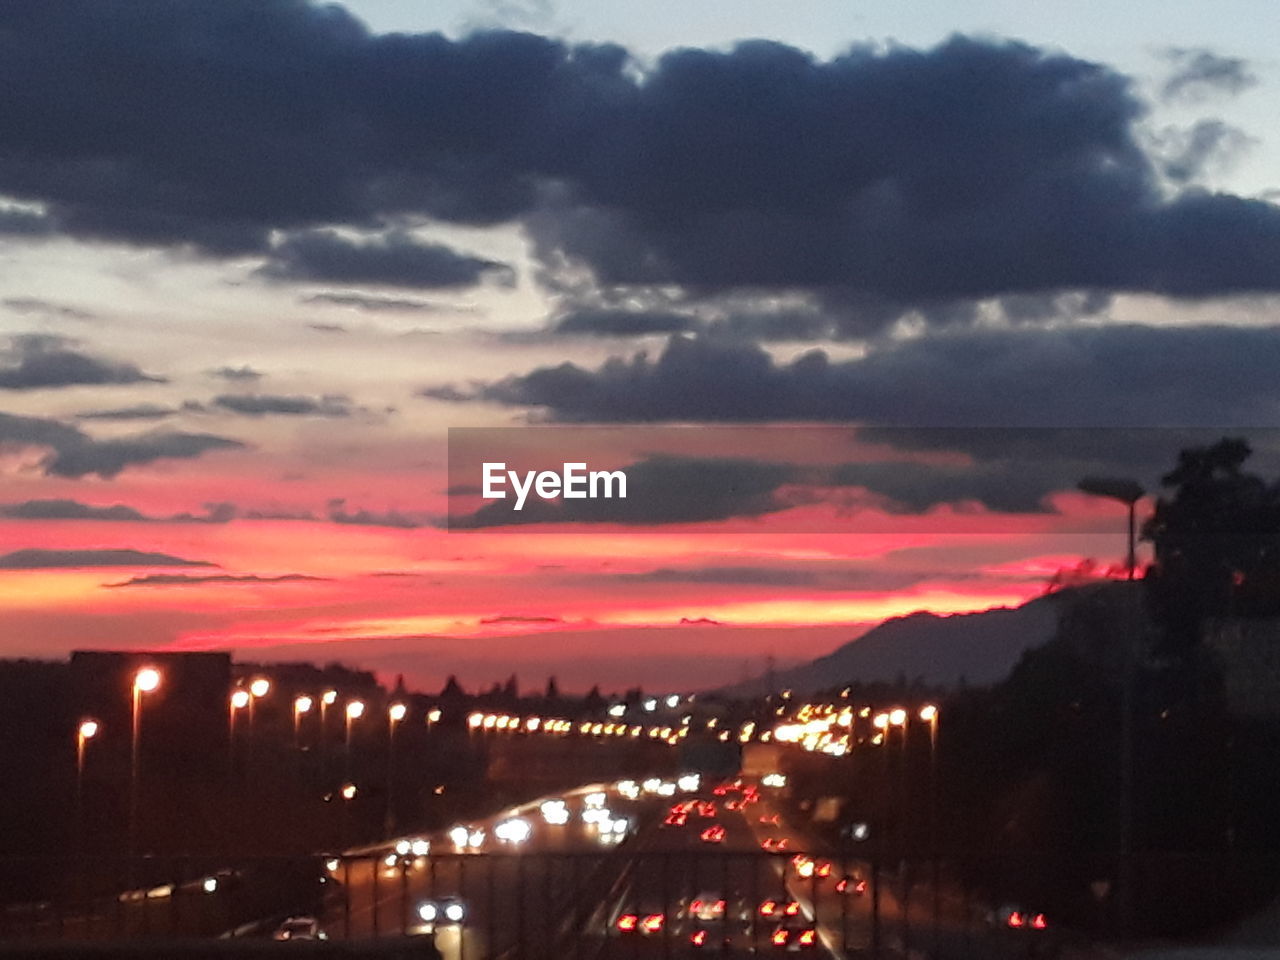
(529, 907)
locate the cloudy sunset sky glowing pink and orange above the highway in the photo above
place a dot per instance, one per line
(860, 291)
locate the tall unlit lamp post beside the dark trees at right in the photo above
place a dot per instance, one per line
(1127, 492)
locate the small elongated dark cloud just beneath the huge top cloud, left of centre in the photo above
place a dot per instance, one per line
(392, 260)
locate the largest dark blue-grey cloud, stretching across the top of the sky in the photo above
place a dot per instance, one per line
(976, 168)
